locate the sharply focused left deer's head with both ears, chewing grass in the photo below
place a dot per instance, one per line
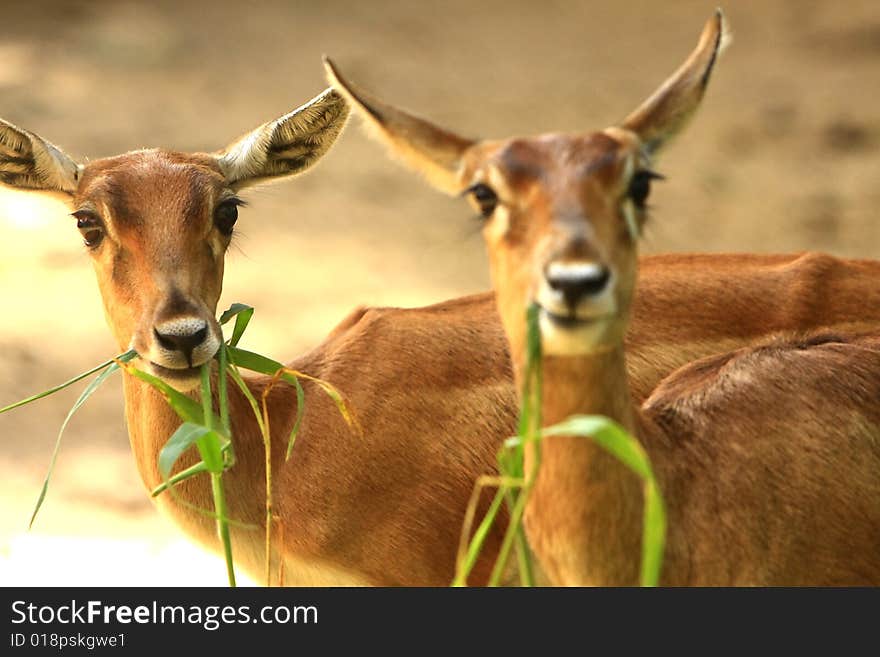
(157, 224)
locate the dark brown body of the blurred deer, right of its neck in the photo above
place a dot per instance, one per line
(783, 508)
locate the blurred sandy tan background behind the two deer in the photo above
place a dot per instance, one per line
(784, 156)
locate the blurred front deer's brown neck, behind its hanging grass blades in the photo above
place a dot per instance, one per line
(583, 517)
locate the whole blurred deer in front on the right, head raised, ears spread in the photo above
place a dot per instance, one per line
(768, 456)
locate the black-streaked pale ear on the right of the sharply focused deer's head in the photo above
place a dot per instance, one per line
(286, 146)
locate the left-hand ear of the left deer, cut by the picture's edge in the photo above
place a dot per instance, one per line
(30, 162)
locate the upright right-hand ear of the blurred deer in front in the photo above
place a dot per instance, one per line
(666, 112)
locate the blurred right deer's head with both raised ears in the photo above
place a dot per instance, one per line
(562, 212)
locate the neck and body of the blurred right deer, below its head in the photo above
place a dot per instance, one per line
(746, 503)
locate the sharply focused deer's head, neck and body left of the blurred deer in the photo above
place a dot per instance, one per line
(383, 510)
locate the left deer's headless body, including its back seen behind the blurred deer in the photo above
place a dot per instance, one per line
(439, 418)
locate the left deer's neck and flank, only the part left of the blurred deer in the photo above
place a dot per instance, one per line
(385, 508)
